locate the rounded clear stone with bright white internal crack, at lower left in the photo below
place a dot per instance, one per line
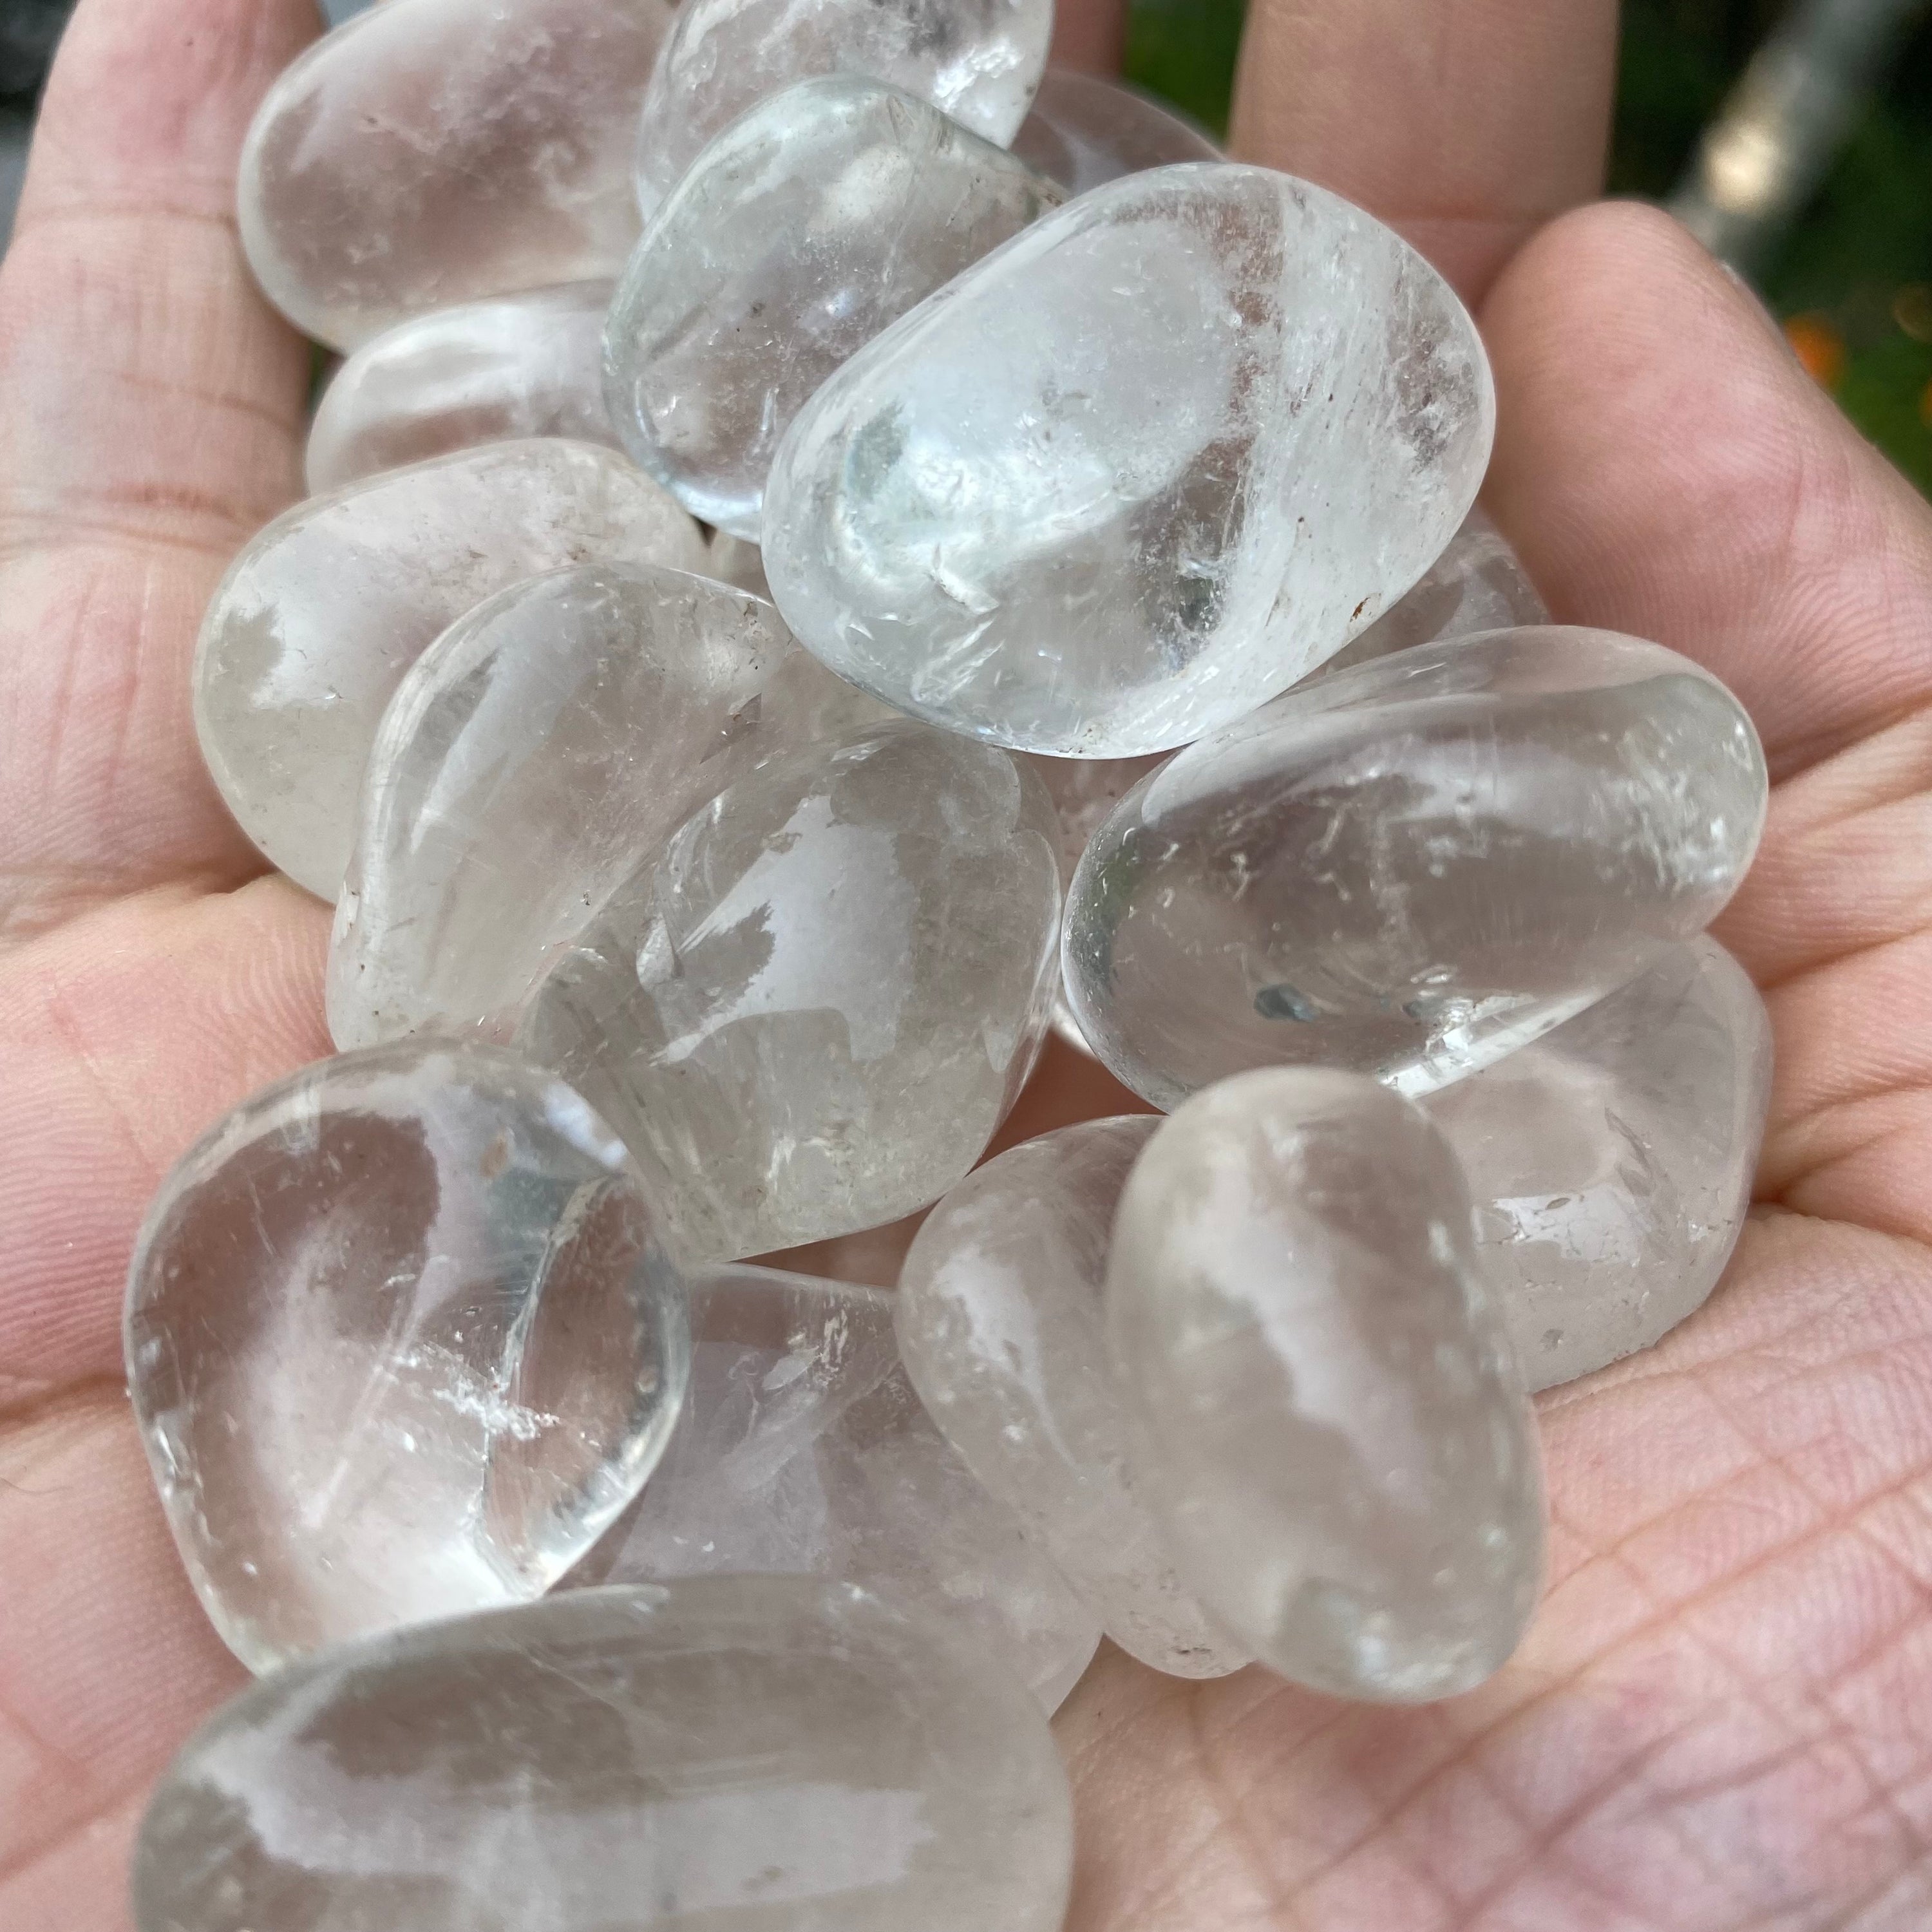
(401, 1344)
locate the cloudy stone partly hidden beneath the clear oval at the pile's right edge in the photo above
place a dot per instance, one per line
(1612, 1160)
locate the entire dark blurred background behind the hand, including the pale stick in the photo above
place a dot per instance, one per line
(1796, 136)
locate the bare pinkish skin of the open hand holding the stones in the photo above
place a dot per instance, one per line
(1722, 1719)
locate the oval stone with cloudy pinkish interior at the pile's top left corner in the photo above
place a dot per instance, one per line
(432, 152)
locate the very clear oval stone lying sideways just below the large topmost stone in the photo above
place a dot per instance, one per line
(1411, 868)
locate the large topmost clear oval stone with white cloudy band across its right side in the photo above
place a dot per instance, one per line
(1139, 470)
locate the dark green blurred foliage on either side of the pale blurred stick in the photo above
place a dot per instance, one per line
(1854, 279)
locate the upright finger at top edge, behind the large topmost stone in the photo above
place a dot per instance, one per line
(1463, 123)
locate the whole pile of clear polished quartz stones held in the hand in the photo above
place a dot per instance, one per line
(838, 552)
